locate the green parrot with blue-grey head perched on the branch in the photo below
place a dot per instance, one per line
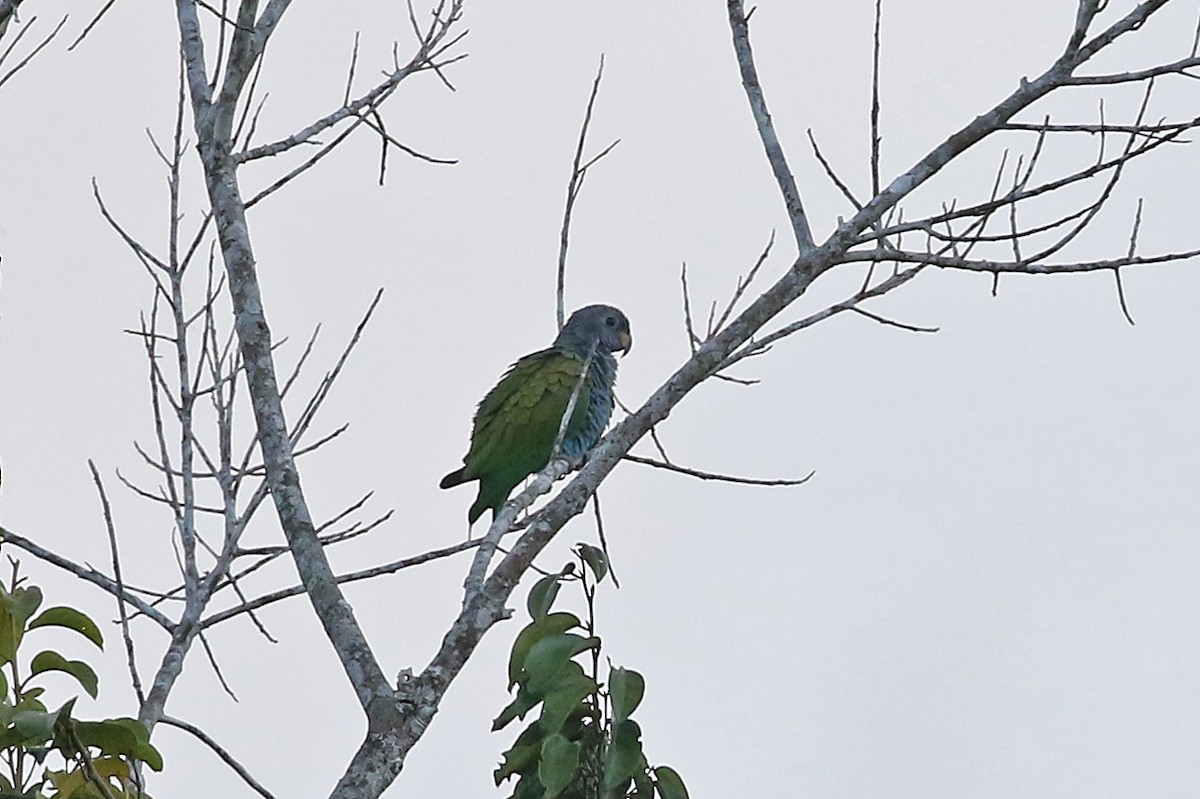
(518, 422)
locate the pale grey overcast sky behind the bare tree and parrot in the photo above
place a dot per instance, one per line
(991, 587)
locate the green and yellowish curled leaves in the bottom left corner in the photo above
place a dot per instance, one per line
(99, 756)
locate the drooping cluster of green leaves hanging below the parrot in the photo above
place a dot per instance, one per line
(584, 744)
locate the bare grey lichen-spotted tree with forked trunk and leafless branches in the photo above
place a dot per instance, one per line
(963, 236)
